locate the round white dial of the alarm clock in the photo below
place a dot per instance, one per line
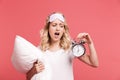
(78, 50)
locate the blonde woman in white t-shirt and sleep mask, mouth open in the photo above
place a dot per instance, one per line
(56, 45)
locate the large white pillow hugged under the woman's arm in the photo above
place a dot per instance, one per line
(25, 54)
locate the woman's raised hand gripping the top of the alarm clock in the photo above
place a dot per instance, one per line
(85, 37)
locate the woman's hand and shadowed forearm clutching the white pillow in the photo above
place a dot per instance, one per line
(37, 68)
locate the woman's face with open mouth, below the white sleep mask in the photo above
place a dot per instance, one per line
(56, 30)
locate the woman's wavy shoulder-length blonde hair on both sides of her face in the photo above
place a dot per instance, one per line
(65, 41)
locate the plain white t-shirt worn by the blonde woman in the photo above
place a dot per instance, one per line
(61, 64)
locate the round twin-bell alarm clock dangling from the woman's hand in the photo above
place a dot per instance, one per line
(78, 48)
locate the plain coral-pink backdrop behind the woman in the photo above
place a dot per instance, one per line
(100, 18)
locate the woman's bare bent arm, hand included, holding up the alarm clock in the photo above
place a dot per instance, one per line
(91, 58)
